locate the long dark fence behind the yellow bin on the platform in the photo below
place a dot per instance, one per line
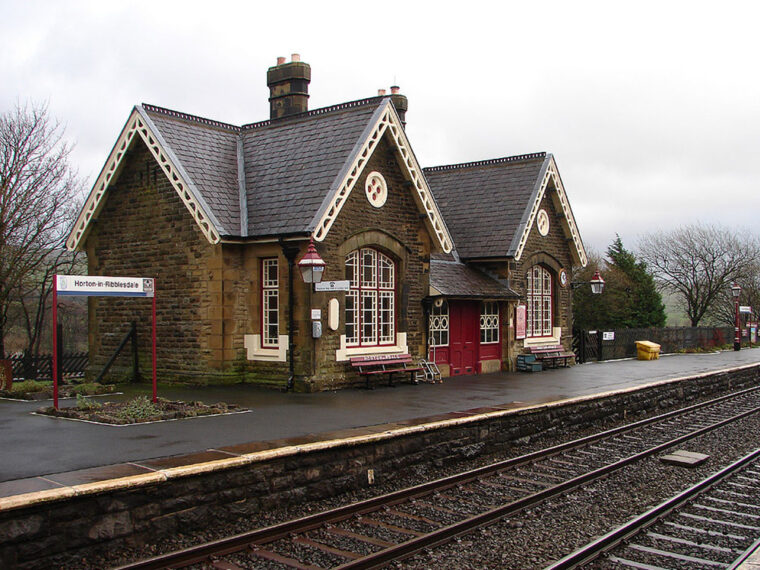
(609, 345)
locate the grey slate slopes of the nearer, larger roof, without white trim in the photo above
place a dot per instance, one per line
(290, 164)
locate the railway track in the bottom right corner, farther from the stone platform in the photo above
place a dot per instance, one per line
(714, 524)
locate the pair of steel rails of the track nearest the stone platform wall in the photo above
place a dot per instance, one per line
(258, 537)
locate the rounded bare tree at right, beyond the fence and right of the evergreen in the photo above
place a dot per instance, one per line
(698, 263)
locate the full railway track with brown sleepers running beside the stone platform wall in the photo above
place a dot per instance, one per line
(374, 532)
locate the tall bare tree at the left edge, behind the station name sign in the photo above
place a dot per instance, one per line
(38, 191)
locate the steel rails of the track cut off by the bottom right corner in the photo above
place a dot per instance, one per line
(612, 539)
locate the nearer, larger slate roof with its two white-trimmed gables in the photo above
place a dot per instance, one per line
(288, 176)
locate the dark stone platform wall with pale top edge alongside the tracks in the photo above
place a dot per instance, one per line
(49, 528)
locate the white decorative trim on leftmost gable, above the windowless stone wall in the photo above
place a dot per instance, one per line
(136, 124)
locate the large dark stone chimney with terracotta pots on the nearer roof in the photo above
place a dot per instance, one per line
(288, 87)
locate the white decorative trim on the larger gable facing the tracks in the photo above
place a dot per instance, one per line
(387, 121)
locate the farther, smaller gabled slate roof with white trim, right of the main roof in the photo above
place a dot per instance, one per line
(490, 206)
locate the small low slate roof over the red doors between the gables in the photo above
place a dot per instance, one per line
(452, 278)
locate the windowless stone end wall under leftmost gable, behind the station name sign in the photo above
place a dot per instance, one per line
(144, 230)
